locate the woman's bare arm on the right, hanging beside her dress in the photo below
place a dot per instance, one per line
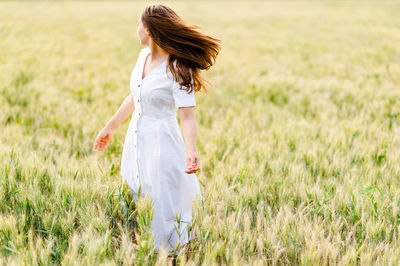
(189, 132)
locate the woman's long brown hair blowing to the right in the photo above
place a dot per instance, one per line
(188, 48)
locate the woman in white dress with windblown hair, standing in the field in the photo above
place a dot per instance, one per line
(157, 158)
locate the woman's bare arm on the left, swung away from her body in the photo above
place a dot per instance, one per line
(125, 110)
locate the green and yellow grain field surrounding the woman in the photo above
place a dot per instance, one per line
(298, 139)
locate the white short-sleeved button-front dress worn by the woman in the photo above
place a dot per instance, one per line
(154, 153)
